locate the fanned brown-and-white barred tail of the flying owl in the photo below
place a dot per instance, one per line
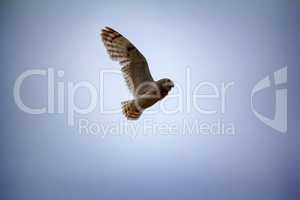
(131, 110)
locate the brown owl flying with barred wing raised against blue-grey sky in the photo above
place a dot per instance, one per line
(136, 72)
